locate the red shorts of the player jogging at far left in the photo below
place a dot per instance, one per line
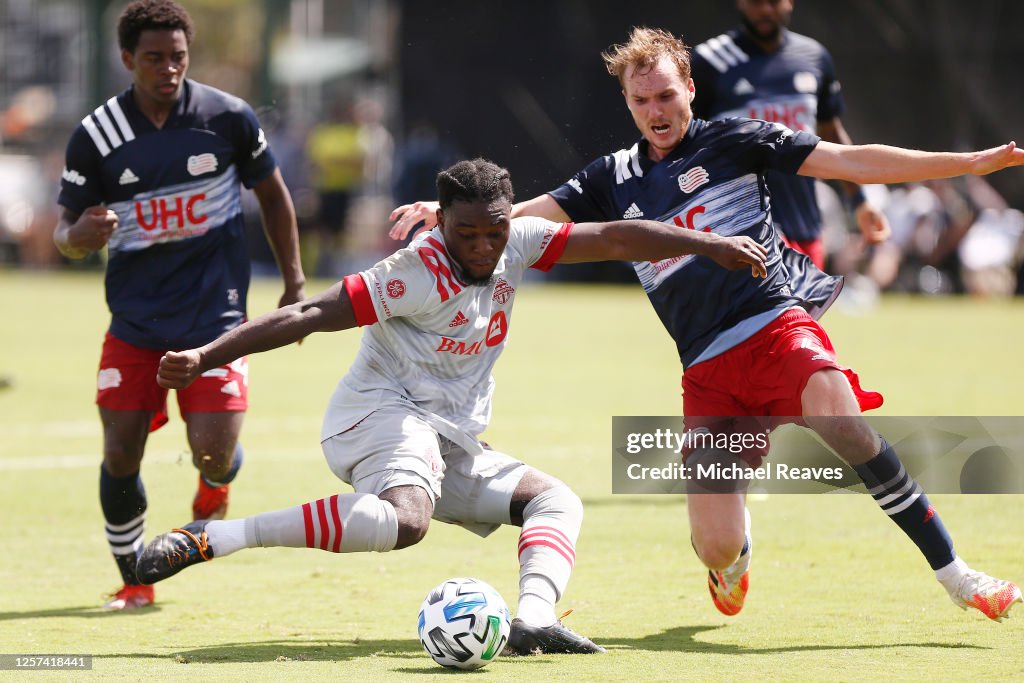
(127, 381)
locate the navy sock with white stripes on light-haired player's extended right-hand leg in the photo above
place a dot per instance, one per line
(902, 498)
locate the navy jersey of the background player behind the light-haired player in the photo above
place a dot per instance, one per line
(795, 87)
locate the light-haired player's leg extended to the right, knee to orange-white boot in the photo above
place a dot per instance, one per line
(832, 410)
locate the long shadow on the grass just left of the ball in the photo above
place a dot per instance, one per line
(290, 651)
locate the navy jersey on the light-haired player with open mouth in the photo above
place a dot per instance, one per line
(713, 182)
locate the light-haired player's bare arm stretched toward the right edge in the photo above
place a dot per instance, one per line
(881, 163)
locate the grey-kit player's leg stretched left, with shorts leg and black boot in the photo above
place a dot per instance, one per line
(396, 488)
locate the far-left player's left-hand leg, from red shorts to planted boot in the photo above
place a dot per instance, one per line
(132, 405)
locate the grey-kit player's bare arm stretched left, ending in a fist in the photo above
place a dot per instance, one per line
(328, 312)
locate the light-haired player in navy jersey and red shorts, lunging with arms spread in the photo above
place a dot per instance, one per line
(752, 348)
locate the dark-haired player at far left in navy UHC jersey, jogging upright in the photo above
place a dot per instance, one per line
(154, 176)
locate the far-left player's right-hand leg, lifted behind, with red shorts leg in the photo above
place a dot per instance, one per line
(214, 408)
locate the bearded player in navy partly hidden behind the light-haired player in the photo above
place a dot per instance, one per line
(763, 71)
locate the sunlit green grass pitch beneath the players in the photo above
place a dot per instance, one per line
(837, 592)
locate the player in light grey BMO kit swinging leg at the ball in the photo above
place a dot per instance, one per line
(403, 425)
